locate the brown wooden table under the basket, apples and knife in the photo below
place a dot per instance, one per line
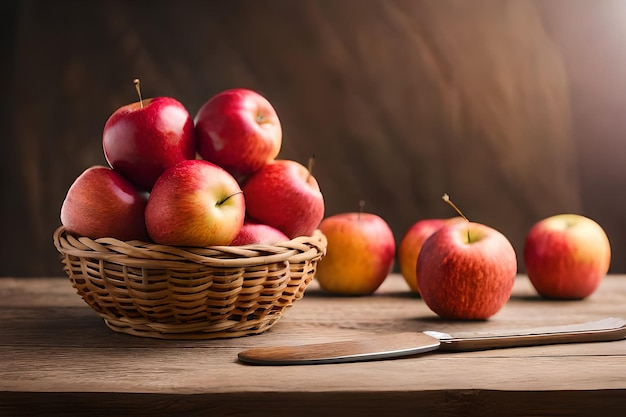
(58, 358)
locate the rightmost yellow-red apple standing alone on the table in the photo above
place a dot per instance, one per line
(566, 256)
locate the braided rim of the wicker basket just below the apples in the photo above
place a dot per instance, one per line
(142, 253)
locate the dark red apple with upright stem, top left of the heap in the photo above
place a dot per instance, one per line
(141, 140)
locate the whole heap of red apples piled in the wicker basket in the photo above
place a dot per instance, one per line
(211, 180)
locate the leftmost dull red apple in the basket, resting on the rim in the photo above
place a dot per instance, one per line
(102, 203)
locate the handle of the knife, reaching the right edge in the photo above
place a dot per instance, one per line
(610, 329)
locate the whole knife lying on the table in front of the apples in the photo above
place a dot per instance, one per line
(411, 343)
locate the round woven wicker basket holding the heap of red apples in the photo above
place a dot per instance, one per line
(167, 292)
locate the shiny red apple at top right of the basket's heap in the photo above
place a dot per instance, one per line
(239, 130)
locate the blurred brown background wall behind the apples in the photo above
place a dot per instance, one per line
(514, 108)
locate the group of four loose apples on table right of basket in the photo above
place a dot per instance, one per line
(463, 269)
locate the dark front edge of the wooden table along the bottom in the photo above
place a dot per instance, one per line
(469, 403)
